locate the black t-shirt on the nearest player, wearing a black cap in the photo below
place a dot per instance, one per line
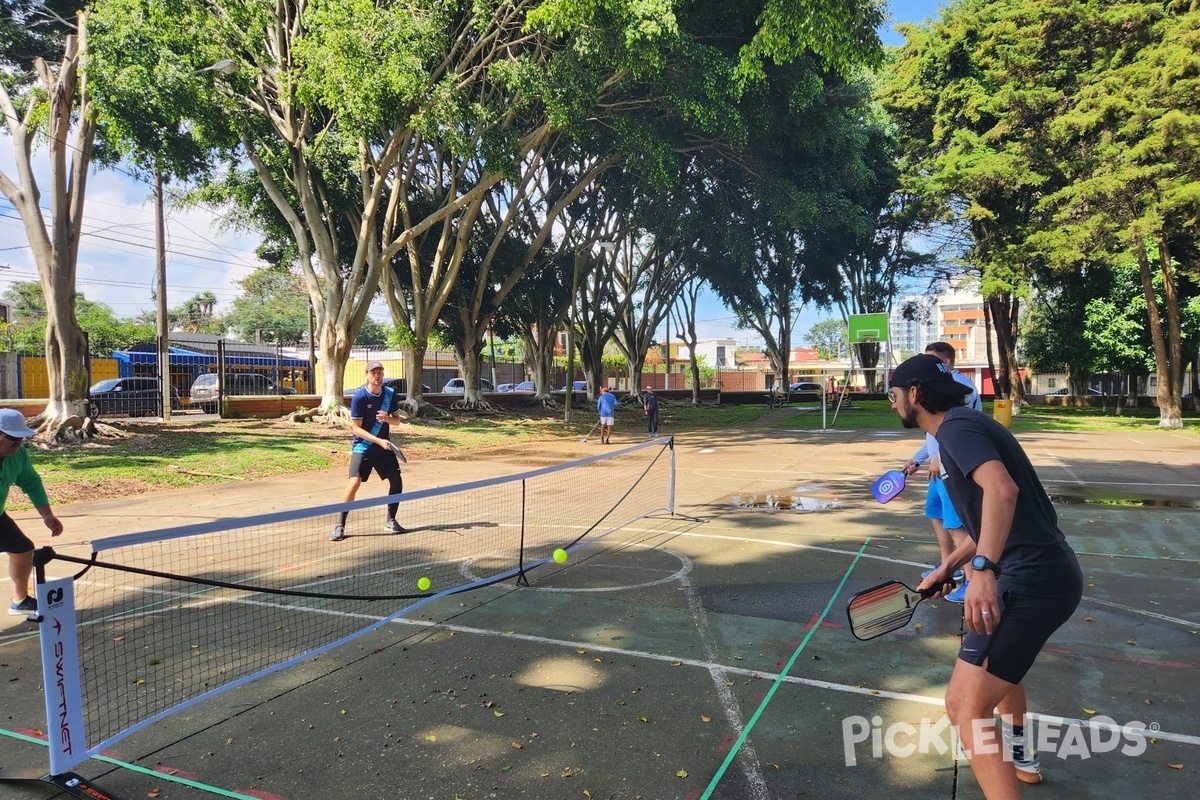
(1036, 548)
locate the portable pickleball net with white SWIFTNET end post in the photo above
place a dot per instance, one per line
(159, 622)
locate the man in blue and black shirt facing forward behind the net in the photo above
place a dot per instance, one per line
(374, 406)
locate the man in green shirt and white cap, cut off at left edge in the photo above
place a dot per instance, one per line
(16, 470)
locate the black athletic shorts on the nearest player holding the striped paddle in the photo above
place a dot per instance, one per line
(1030, 612)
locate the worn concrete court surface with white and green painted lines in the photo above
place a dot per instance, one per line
(637, 670)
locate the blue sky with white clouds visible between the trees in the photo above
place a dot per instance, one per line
(117, 258)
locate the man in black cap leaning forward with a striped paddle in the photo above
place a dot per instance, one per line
(1027, 584)
